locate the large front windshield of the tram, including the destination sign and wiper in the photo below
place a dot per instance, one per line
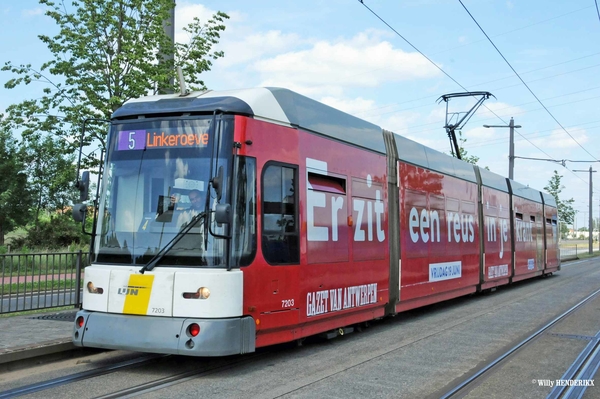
(156, 182)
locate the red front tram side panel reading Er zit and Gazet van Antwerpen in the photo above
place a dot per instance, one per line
(342, 275)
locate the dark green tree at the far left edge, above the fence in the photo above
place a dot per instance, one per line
(15, 198)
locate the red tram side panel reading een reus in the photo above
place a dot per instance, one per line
(439, 234)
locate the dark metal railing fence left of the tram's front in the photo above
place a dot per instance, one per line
(40, 281)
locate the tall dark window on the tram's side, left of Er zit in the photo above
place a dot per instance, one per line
(280, 241)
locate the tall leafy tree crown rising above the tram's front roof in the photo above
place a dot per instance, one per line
(105, 53)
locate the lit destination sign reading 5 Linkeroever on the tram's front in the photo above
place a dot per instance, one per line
(154, 139)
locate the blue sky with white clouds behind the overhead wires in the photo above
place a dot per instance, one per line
(340, 53)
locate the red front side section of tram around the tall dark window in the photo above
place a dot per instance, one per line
(271, 282)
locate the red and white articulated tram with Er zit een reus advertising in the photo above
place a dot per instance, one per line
(234, 220)
